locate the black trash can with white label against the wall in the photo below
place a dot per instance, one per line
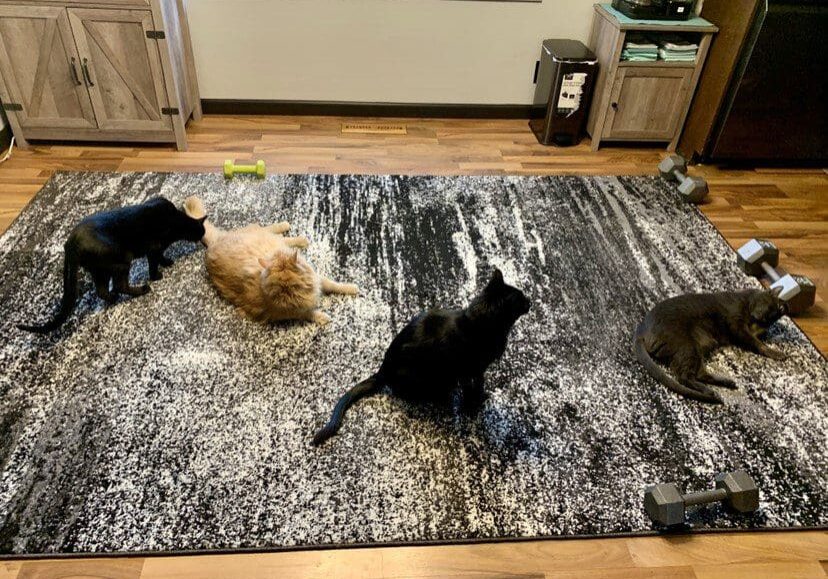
(565, 77)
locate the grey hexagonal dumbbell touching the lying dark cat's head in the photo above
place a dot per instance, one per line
(760, 256)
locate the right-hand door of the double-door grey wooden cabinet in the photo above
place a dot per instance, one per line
(121, 67)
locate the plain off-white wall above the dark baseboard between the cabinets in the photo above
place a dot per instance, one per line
(422, 51)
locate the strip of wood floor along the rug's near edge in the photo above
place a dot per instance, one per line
(785, 555)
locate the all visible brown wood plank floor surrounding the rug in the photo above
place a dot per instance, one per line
(789, 206)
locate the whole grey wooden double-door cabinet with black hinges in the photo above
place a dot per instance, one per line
(75, 70)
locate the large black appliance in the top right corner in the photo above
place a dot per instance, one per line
(776, 108)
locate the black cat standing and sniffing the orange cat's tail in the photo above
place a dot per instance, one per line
(105, 244)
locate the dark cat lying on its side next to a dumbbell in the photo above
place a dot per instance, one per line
(683, 330)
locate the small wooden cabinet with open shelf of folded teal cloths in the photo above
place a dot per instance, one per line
(641, 101)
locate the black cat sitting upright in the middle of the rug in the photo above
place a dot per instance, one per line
(441, 350)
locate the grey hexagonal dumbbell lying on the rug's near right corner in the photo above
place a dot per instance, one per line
(666, 505)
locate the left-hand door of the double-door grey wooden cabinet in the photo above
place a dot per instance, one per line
(41, 68)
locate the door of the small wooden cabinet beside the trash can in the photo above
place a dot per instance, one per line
(647, 103)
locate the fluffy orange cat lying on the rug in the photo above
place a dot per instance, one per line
(260, 271)
